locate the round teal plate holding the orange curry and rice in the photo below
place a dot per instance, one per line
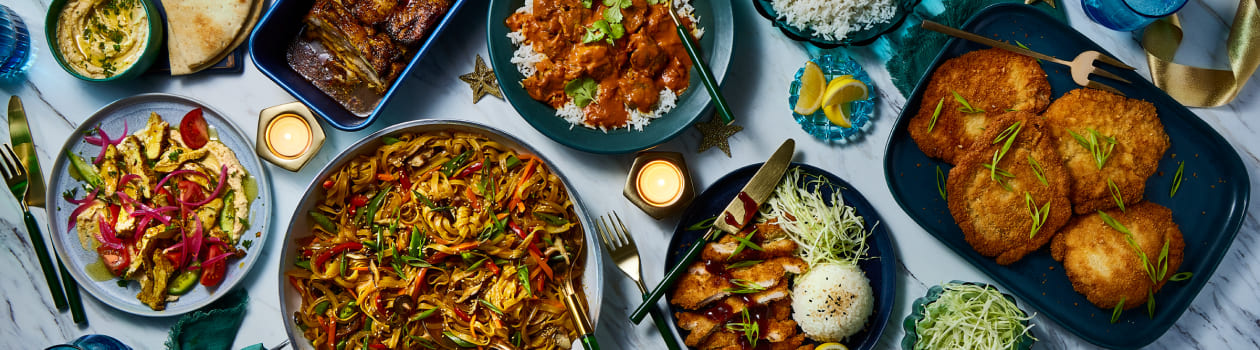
(715, 17)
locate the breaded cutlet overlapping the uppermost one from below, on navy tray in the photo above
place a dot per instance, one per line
(996, 221)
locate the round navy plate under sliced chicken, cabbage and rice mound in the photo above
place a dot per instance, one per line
(881, 269)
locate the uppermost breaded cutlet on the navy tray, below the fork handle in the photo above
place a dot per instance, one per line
(992, 82)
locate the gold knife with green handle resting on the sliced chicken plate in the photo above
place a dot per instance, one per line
(734, 218)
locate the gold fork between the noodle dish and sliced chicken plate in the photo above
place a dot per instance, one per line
(622, 249)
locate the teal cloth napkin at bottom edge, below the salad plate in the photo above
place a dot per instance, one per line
(212, 328)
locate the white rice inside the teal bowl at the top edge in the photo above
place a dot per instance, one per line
(835, 20)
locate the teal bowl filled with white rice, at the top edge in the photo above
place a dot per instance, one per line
(836, 23)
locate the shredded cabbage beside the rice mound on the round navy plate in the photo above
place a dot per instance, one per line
(827, 234)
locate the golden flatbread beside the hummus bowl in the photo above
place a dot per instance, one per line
(202, 31)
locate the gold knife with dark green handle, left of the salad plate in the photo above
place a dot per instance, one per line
(33, 196)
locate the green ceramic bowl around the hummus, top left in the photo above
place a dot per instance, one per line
(157, 36)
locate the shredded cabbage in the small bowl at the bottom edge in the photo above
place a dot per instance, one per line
(968, 317)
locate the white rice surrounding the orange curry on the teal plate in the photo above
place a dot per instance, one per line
(526, 59)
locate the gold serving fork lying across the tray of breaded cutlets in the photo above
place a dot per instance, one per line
(1082, 66)
